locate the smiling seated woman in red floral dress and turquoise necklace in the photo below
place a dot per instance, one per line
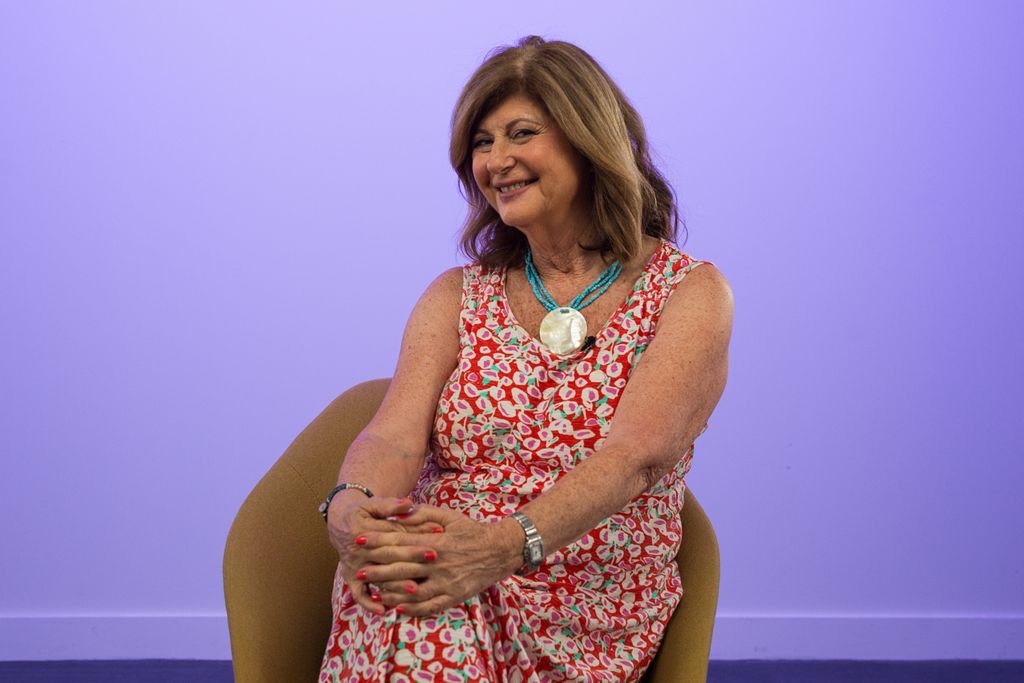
(511, 513)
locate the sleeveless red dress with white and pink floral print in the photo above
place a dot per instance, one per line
(511, 420)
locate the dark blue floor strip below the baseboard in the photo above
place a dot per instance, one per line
(187, 671)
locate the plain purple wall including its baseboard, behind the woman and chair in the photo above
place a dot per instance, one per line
(196, 200)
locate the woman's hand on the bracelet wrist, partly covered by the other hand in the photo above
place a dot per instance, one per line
(351, 520)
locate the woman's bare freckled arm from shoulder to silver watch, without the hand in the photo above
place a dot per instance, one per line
(670, 397)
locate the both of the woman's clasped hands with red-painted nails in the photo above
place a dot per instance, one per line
(418, 560)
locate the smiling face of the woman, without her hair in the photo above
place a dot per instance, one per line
(529, 172)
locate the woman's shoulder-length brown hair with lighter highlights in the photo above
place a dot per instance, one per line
(631, 198)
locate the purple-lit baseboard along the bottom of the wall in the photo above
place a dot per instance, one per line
(737, 637)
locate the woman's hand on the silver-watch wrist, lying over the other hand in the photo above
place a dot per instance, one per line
(467, 559)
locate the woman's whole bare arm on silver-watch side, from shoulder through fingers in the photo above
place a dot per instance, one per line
(669, 398)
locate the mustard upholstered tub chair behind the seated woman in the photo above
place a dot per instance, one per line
(279, 565)
